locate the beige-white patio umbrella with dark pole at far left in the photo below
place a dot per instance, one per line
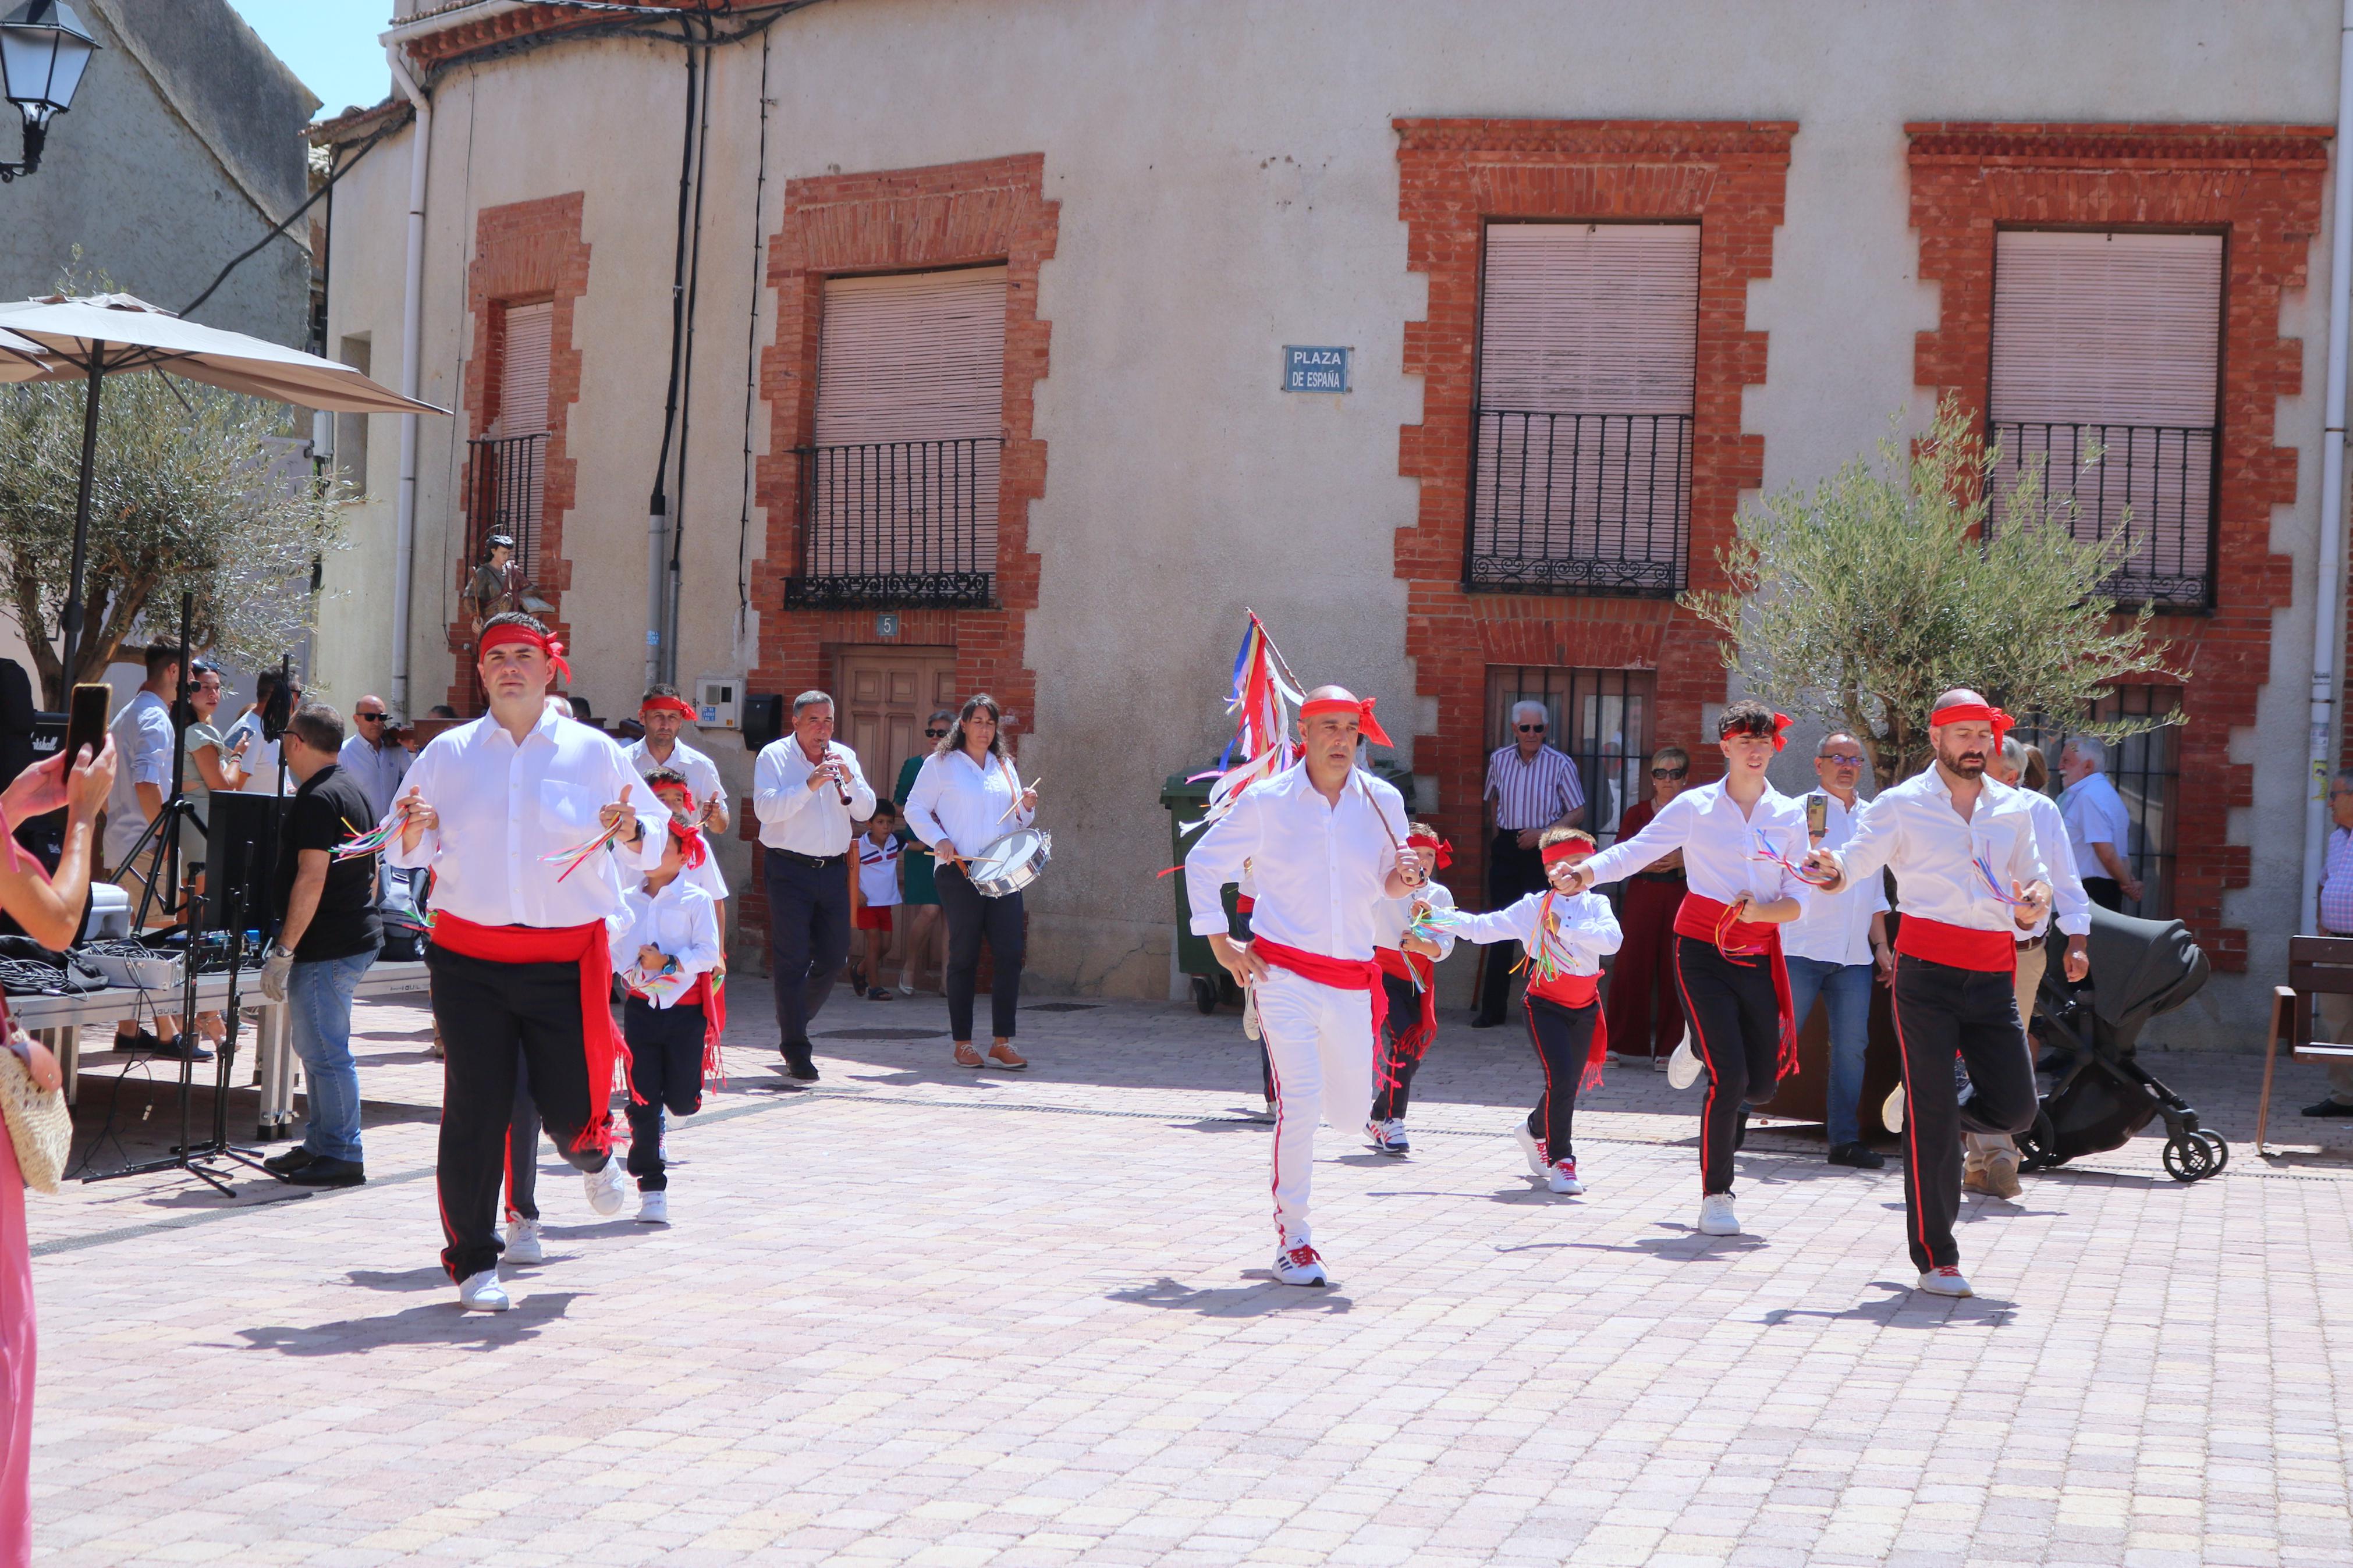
(102, 335)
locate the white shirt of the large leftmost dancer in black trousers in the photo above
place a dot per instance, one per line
(505, 808)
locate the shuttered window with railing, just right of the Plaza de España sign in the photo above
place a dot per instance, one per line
(1582, 453)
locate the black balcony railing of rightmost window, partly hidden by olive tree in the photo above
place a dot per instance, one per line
(2154, 481)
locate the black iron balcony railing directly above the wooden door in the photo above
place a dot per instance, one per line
(898, 525)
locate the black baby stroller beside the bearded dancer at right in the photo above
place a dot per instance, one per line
(2102, 1097)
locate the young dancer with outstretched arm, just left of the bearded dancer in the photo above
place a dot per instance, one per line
(1740, 843)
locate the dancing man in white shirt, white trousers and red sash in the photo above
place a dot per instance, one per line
(1324, 845)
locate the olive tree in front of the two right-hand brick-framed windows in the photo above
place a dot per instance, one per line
(1865, 598)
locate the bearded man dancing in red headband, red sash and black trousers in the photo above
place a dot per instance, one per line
(1971, 878)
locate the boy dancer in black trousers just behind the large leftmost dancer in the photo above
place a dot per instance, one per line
(669, 1014)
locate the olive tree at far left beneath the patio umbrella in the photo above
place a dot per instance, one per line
(185, 500)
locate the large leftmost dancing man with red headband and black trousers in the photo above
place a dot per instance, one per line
(528, 824)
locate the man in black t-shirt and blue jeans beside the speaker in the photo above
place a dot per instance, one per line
(328, 934)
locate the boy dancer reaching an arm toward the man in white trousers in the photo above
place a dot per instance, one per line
(1566, 937)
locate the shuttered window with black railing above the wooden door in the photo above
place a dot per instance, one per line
(900, 490)
